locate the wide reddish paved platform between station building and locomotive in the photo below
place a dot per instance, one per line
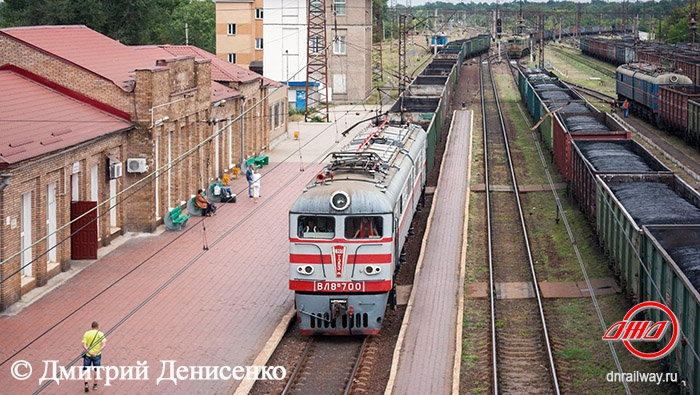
(210, 295)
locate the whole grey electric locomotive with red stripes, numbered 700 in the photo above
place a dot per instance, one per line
(347, 230)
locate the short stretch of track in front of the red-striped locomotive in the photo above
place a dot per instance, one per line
(328, 365)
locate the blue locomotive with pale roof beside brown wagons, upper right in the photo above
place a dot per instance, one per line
(639, 84)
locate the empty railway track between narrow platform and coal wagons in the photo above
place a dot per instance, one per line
(522, 359)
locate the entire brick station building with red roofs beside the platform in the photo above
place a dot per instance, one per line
(121, 133)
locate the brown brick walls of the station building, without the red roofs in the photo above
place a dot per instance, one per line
(171, 109)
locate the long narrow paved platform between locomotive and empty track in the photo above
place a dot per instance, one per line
(426, 360)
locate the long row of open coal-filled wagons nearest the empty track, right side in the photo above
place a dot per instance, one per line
(647, 220)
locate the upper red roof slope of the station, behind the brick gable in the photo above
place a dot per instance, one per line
(87, 49)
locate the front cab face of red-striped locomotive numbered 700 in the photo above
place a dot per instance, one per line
(341, 269)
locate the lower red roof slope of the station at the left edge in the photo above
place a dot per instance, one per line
(36, 120)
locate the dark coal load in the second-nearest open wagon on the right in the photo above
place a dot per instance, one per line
(654, 203)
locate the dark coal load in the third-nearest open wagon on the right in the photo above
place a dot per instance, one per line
(613, 157)
